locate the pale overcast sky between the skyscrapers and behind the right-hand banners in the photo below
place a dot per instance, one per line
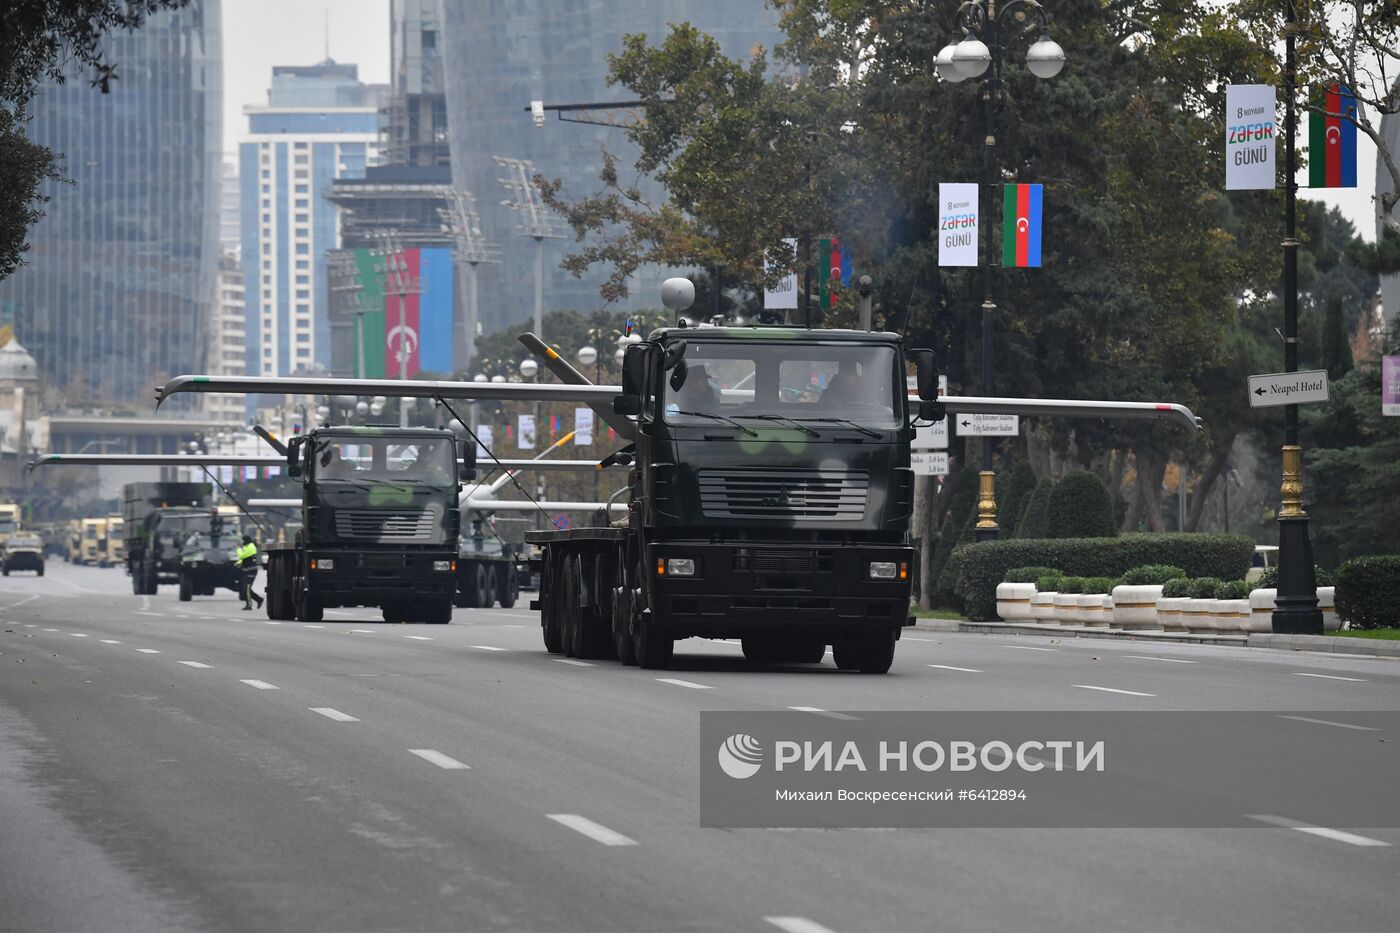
(260, 34)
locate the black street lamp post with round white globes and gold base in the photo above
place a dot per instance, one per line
(979, 55)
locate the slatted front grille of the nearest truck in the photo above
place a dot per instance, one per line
(828, 495)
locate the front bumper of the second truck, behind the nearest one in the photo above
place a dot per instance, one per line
(370, 579)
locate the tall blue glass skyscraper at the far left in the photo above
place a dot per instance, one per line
(120, 282)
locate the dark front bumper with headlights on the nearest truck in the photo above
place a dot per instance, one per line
(755, 589)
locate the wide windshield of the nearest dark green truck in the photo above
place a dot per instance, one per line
(801, 383)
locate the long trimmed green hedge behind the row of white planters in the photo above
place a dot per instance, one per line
(983, 565)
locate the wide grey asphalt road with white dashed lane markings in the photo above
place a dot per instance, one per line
(191, 767)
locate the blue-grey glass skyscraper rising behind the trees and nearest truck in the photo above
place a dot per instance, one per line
(499, 55)
